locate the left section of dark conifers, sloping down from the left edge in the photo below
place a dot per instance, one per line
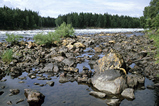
(19, 19)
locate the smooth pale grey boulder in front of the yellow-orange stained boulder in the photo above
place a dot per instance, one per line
(109, 81)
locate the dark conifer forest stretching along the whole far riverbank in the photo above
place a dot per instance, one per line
(13, 19)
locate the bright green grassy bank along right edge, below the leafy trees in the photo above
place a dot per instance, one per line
(154, 35)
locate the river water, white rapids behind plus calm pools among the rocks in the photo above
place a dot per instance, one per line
(70, 93)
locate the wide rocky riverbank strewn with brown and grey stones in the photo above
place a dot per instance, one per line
(112, 58)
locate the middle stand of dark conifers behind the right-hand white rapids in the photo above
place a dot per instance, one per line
(83, 20)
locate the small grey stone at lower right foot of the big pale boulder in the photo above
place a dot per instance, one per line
(128, 93)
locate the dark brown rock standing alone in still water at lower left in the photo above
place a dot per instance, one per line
(34, 98)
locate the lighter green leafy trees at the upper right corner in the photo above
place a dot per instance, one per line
(151, 15)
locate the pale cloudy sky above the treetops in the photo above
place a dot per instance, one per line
(53, 8)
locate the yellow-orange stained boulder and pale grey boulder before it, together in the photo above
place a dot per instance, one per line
(110, 74)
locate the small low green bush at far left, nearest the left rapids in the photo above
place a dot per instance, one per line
(13, 39)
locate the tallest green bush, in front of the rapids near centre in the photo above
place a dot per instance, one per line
(64, 30)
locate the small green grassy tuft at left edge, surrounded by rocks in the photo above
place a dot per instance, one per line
(7, 56)
